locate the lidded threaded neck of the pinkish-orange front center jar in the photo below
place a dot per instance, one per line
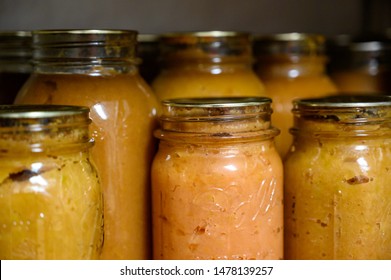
(222, 118)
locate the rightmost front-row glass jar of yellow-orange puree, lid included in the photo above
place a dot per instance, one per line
(337, 179)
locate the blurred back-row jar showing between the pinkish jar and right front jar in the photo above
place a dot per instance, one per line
(291, 65)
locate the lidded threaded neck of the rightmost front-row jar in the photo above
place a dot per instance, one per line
(347, 115)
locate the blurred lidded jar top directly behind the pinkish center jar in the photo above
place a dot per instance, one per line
(206, 64)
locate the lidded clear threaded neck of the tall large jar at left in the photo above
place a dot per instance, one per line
(92, 52)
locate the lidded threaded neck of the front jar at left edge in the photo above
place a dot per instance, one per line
(38, 128)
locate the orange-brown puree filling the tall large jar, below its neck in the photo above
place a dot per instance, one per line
(123, 111)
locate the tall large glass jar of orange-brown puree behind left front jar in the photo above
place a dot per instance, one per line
(97, 68)
